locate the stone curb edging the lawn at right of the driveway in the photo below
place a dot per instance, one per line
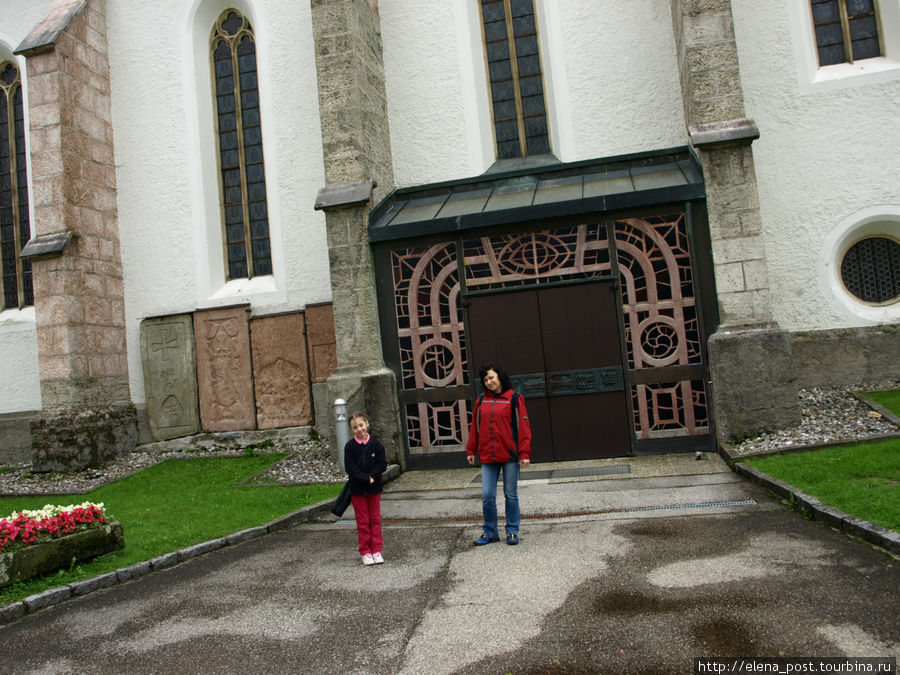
(812, 507)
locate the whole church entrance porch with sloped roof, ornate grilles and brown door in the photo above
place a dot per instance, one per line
(581, 275)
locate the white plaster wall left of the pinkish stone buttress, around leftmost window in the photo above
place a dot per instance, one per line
(20, 382)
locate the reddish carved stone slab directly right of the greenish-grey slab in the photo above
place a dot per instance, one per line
(224, 377)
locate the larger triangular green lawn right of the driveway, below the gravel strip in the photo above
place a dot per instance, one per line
(862, 479)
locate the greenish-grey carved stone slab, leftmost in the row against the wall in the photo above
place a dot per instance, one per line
(170, 376)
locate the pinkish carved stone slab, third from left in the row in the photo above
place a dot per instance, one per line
(281, 371)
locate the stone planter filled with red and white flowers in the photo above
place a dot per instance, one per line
(37, 542)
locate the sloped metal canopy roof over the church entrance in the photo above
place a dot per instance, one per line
(534, 194)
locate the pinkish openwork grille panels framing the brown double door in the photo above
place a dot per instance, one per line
(660, 315)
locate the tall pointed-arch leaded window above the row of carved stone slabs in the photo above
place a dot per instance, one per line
(239, 136)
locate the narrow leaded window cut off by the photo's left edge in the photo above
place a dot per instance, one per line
(15, 227)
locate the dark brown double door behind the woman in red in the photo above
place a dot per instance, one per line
(561, 347)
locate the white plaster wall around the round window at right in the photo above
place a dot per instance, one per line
(827, 159)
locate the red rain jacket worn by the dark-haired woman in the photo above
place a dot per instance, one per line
(491, 432)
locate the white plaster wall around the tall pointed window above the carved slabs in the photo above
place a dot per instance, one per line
(168, 193)
